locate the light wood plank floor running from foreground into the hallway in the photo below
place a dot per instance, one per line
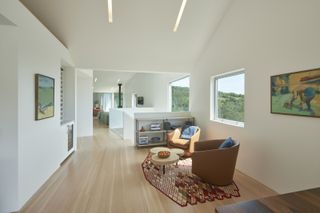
(105, 175)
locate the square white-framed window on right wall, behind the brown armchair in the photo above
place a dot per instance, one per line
(227, 98)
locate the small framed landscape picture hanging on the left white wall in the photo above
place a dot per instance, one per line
(44, 97)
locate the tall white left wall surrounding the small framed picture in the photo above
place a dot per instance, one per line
(41, 143)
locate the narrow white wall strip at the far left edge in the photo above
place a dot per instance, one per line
(9, 119)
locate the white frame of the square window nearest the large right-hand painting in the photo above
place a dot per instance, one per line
(214, 94)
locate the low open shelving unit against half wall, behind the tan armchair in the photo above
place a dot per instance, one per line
(146, 136)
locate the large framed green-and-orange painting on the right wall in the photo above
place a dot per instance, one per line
(296, 93)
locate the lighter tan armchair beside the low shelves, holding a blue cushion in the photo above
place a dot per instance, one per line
(174, 140)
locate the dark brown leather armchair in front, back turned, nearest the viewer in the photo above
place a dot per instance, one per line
(215, 166)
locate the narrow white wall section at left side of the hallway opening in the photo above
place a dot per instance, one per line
(84, 103)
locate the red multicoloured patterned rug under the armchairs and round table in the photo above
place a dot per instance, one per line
(183, 187)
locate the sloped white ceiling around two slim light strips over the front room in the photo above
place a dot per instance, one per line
(139, 39)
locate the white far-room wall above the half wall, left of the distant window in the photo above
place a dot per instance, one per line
(154, 87)
